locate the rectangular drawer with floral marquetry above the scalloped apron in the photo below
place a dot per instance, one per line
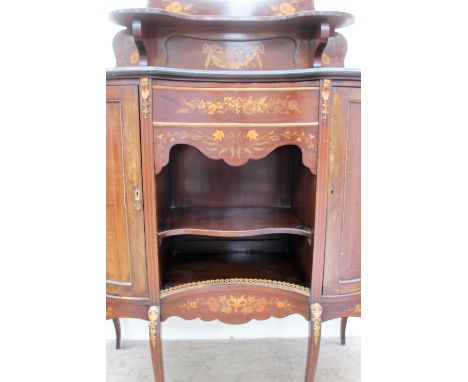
(291, 103)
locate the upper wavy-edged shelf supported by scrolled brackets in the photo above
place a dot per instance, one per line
(163, 18)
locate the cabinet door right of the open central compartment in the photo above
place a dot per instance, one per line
(343, 234)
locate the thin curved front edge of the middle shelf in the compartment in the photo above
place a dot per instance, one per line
(238, 233)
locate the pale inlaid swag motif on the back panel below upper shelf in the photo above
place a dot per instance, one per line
(233, 58)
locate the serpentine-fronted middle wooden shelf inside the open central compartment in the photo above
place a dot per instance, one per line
(232, 222)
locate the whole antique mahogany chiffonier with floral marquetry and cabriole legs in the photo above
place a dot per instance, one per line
(233, 166)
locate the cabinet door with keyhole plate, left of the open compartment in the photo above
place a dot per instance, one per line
(125, 241)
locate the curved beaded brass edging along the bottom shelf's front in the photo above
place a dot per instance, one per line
(250, 282)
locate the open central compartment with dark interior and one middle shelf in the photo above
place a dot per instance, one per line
(218, 221)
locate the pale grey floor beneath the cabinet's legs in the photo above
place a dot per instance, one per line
(266, 360)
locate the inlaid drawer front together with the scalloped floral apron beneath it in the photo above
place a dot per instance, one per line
(236, 123)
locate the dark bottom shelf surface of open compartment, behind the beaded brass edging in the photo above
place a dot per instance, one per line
(190, 268)
